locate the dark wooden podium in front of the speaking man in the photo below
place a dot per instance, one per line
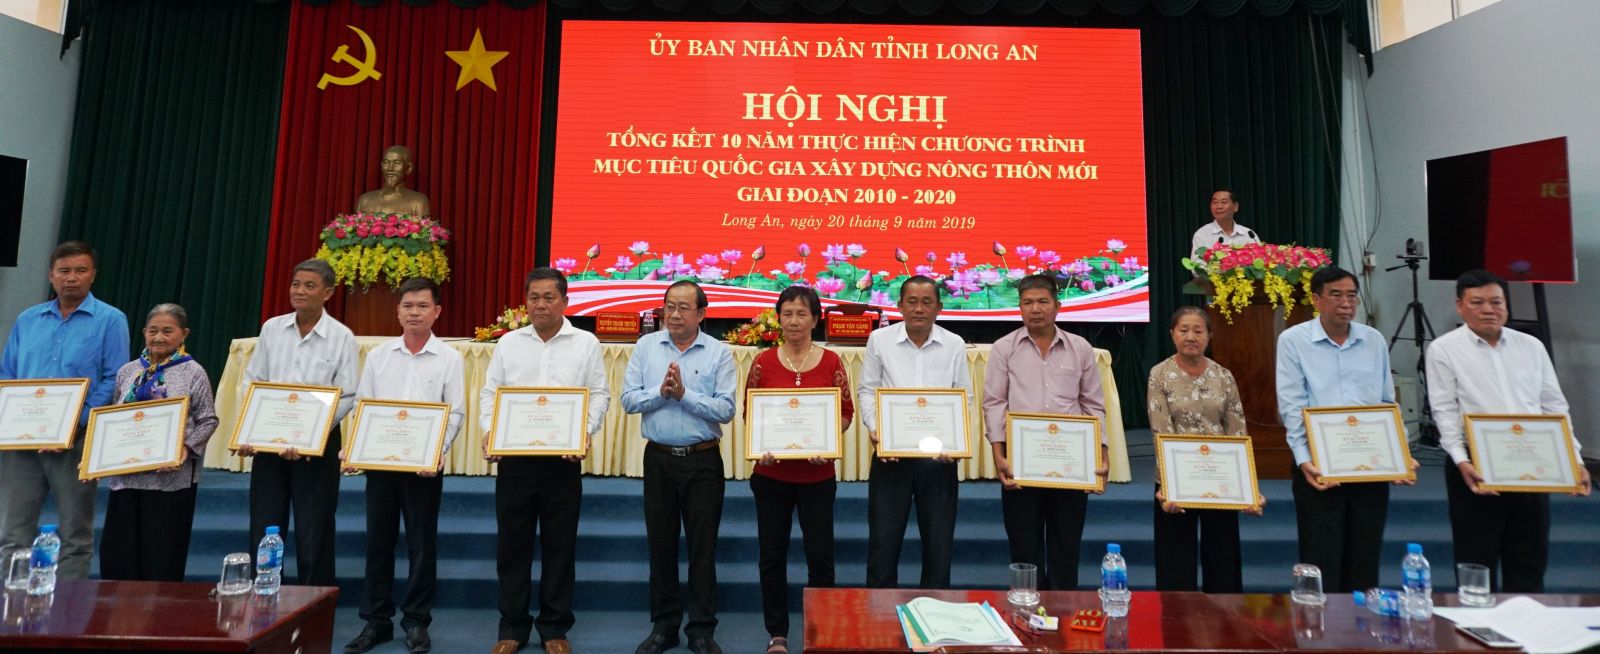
(1249, 349)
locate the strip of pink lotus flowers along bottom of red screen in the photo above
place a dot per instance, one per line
(844, 273)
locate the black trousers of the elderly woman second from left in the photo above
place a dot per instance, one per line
(146, 535)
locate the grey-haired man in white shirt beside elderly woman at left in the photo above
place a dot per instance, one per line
(303, 348)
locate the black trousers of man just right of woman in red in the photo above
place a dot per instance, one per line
(892, 490)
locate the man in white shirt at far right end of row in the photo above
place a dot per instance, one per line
(1482, 367)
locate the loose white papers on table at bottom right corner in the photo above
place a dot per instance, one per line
(1535, 628)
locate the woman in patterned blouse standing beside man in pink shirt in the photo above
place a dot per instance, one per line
(1193, 394)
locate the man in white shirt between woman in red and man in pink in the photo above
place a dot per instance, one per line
(913, 354)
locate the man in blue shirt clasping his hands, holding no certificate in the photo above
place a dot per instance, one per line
(682, 381)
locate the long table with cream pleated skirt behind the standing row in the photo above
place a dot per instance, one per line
(620, 452)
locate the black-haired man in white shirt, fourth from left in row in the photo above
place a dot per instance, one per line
(417, 367)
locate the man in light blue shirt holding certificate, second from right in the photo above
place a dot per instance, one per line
(1335, 362)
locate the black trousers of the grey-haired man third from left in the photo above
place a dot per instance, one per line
(311, 489)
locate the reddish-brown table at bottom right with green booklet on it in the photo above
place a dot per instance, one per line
(865, 621)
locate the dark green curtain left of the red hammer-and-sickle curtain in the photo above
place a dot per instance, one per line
(170, 173)
